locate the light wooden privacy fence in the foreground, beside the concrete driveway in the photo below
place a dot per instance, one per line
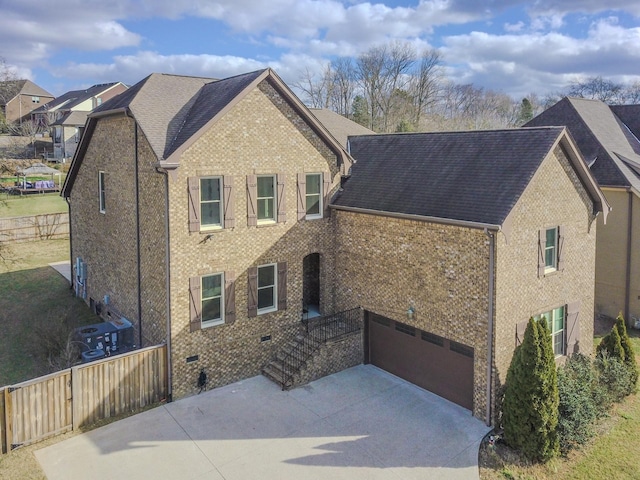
(46, 406)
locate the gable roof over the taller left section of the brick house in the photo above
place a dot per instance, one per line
(174, 111)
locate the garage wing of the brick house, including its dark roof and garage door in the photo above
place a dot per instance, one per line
(452, 241)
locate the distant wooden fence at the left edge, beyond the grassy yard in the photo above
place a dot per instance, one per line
(32, 228)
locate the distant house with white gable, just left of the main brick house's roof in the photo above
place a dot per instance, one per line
(67, 114)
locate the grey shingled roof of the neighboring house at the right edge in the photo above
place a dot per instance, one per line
(608, 145)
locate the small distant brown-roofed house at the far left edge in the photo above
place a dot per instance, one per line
(18, 98)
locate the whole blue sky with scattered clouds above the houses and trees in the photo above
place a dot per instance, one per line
(510, 46)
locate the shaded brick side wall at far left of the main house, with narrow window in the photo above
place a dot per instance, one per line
(107, 242)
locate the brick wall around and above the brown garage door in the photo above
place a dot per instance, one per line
(387, 264)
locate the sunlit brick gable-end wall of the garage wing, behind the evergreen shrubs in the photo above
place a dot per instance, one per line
(554, 197)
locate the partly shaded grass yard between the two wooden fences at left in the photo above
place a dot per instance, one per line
(35, 299)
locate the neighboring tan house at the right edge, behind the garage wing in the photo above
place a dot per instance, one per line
(608, 139)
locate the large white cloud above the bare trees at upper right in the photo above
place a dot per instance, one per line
(517, 63)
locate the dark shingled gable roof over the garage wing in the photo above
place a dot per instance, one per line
(471, 178)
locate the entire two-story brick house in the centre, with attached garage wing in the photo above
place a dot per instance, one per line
(201, 210)
